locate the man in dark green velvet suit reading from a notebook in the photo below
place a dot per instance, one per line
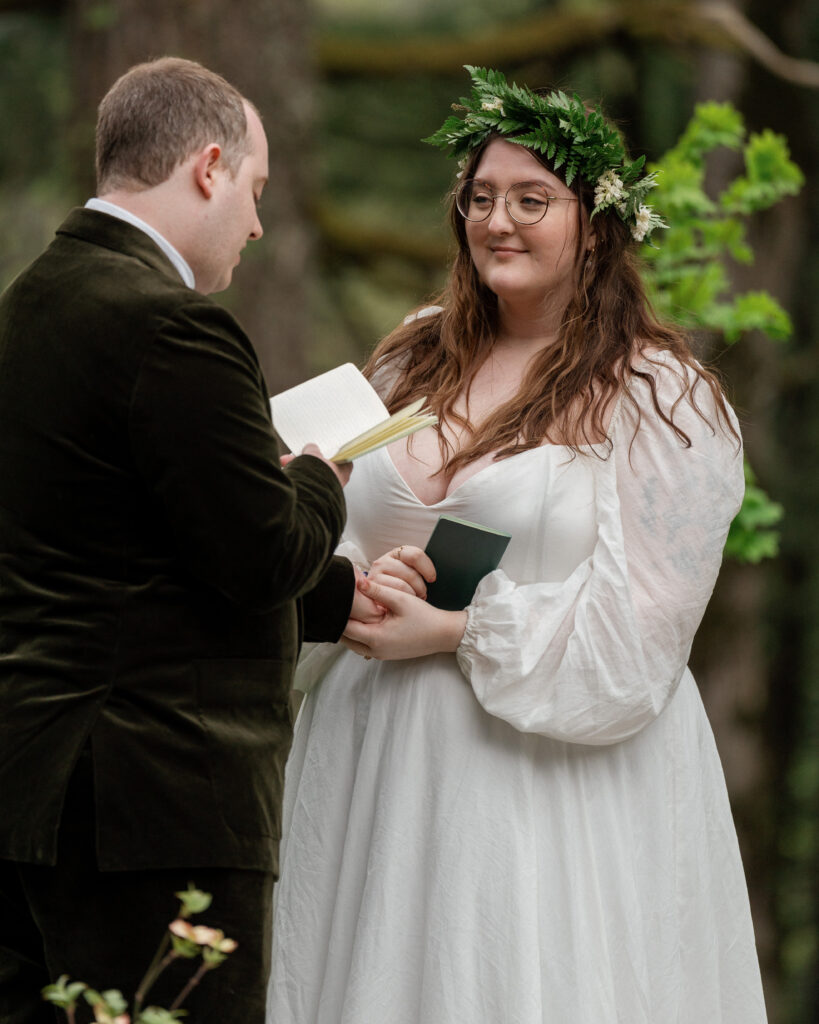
(158, 568)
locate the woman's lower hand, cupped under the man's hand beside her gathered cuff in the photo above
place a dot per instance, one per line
(411, 628)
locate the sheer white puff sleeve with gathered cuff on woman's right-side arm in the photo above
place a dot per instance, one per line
(596, 658)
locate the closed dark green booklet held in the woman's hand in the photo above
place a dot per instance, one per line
(463, 553)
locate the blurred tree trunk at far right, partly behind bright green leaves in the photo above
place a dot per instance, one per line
(739, 657)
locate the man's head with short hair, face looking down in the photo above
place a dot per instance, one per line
(182, 149)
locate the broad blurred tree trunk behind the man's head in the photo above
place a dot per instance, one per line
(265, 50)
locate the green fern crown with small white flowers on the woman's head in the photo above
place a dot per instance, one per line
(563, 130)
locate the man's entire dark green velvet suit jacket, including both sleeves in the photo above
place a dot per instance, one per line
(155, 562)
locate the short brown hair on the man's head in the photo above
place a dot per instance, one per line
(159, 113)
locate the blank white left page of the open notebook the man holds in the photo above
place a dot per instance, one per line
(329, 410)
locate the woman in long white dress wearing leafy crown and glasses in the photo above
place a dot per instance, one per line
(516, 813)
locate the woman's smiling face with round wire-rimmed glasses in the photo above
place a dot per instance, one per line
(525, 264)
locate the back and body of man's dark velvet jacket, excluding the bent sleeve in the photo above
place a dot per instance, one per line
(105, 626)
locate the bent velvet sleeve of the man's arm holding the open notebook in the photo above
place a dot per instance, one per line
(202, 439)
